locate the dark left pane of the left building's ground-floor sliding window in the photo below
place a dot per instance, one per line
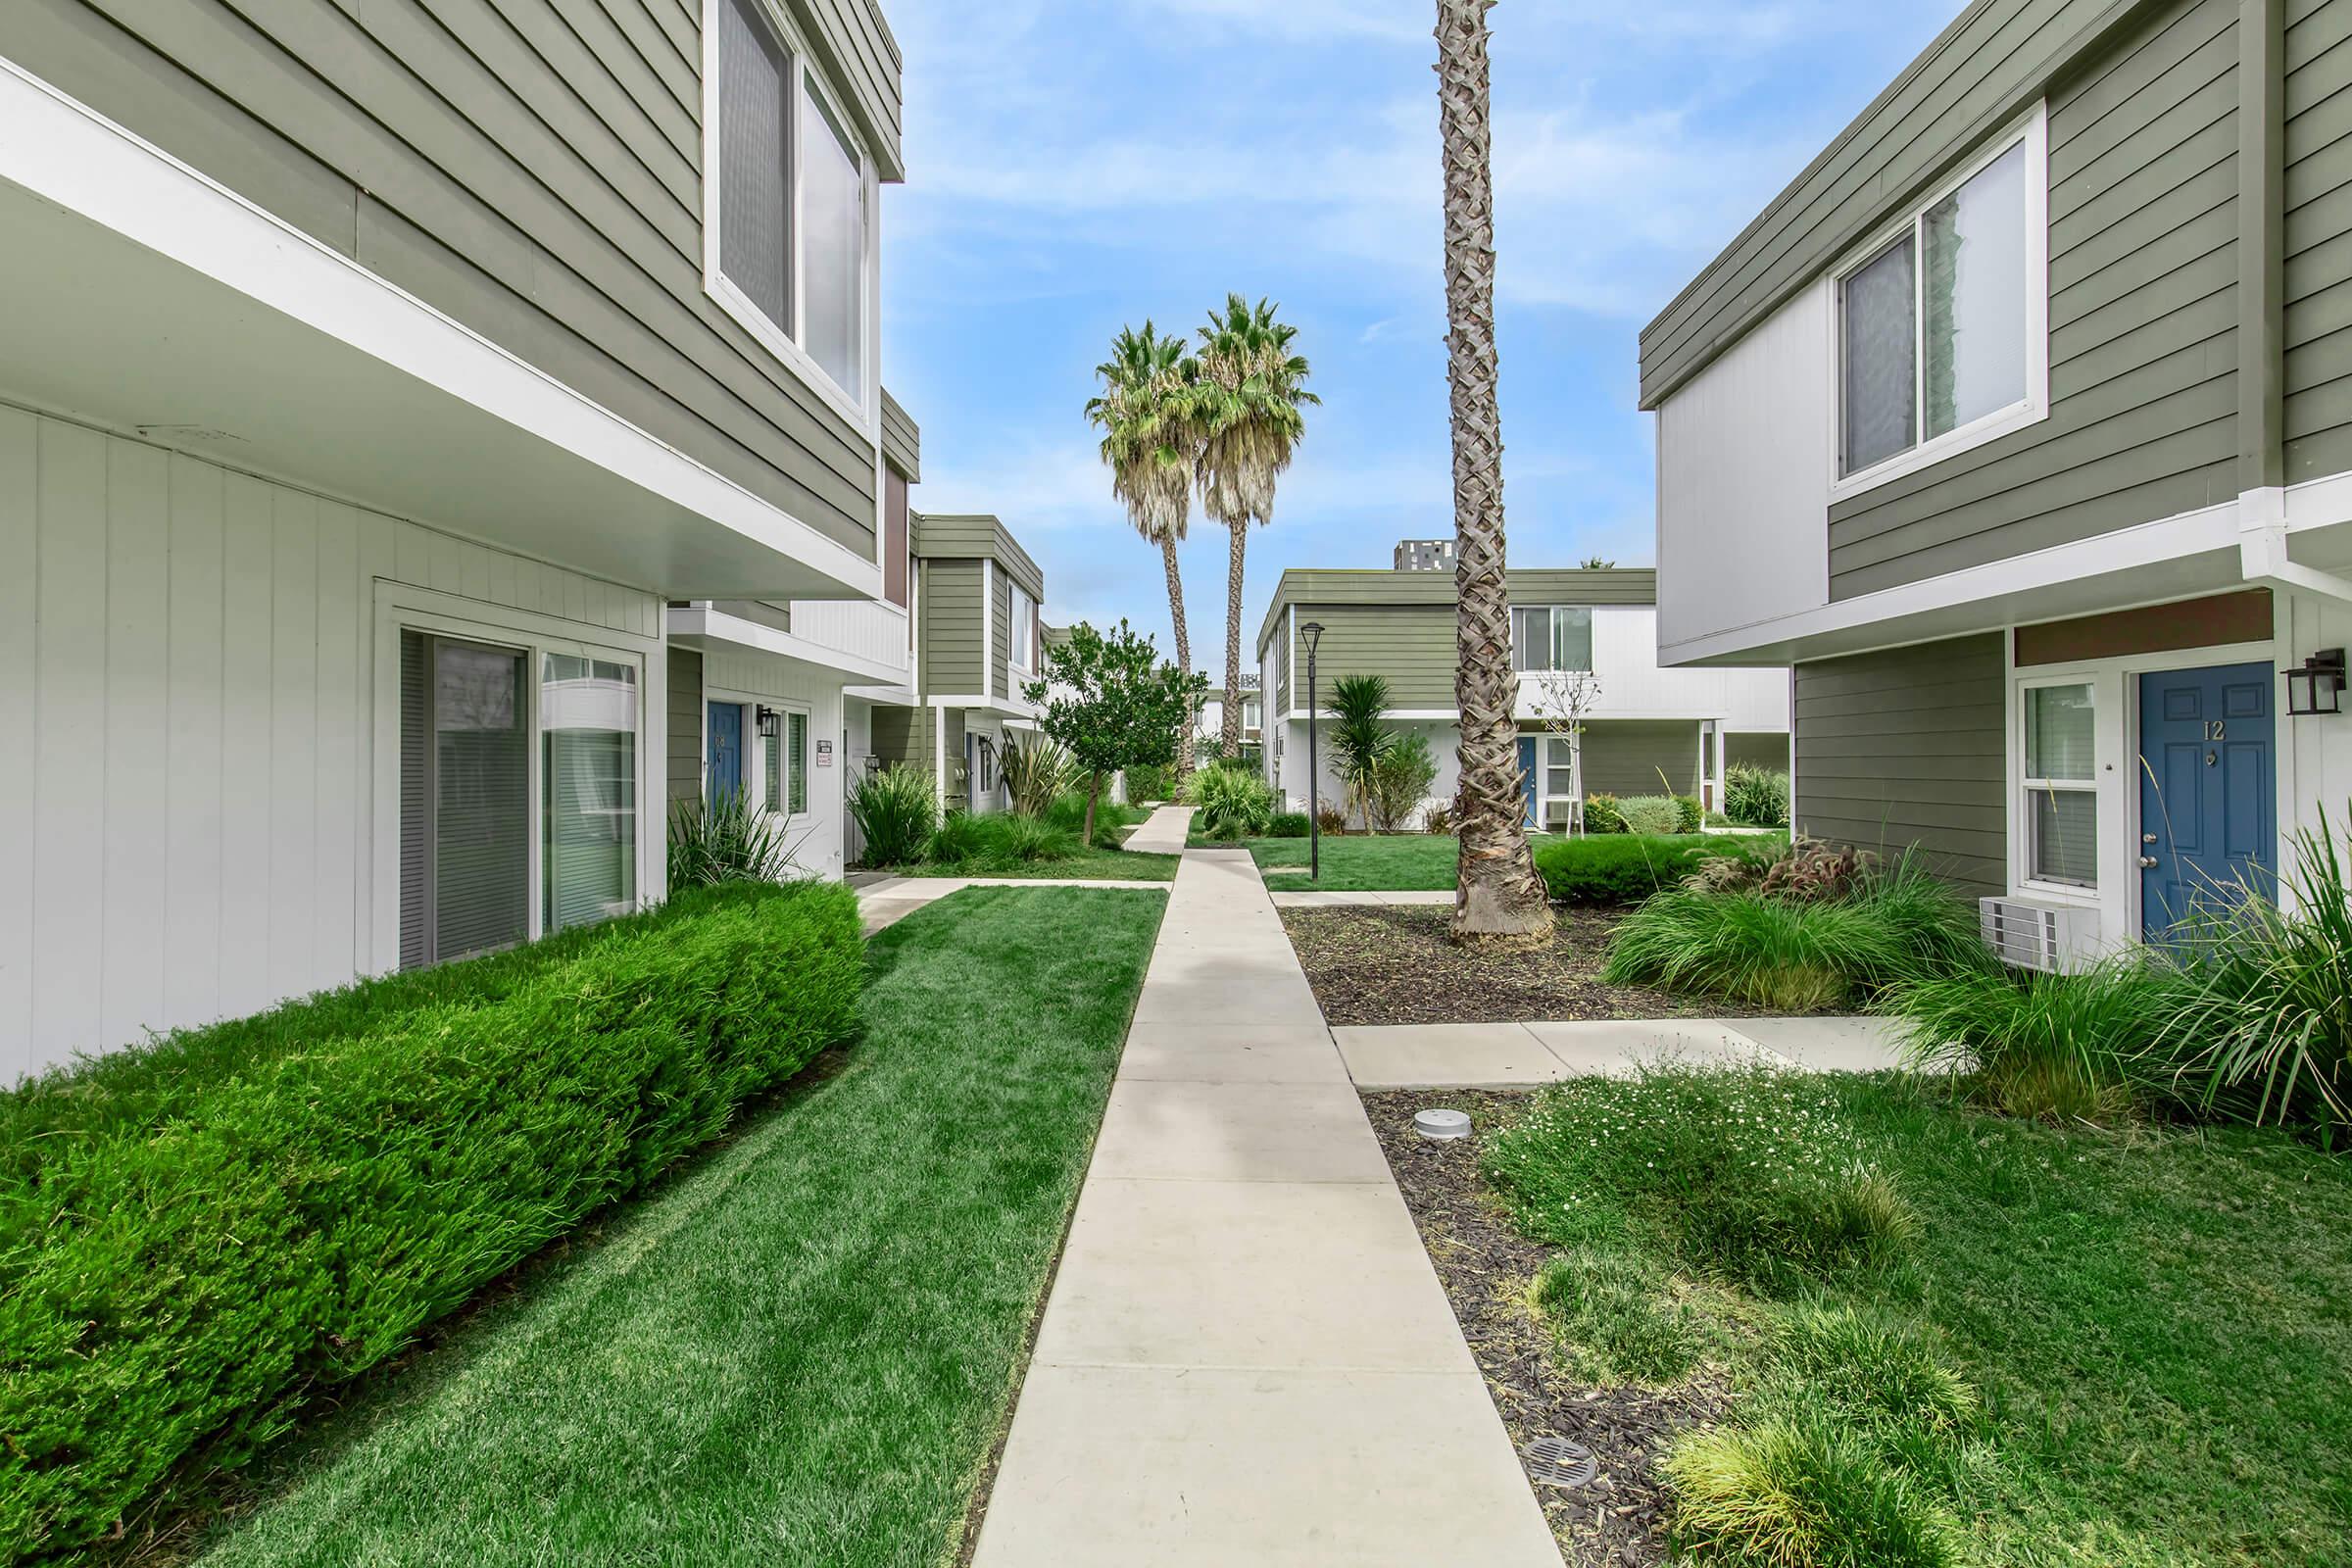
(465, 800)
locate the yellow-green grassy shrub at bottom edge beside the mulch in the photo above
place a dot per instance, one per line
(1803, 1489)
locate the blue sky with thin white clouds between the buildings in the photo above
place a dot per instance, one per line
(1076, 166)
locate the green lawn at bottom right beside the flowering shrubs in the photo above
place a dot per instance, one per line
(2158, 1322)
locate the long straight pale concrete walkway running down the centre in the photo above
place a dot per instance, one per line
(1248, 1355)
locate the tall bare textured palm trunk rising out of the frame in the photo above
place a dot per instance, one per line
(1499, 892)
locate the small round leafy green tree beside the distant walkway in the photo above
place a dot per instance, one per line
(1114, 704)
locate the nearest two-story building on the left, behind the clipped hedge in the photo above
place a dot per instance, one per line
(375, 382)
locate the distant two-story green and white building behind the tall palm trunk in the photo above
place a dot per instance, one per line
(1645, 732)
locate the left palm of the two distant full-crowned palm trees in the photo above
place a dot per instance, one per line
(1149, 415)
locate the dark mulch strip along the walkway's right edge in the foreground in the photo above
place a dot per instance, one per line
(1619, 1517)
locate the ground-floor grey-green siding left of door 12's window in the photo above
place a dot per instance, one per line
(1906, 749)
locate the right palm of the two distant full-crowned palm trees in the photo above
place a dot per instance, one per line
(1250, 434)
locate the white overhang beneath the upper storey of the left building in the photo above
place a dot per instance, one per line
(149, 300)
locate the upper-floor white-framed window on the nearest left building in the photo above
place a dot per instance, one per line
(789, 213)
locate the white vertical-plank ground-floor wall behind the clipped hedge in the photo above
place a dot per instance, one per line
(187, 822)
